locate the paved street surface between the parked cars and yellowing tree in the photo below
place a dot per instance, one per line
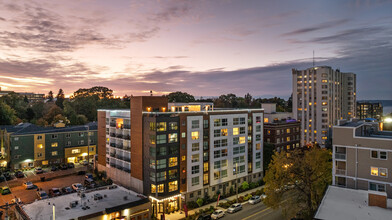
(257, 211)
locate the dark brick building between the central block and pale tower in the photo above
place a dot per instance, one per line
(280, 129)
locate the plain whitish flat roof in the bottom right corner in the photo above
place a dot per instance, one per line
(343, 203)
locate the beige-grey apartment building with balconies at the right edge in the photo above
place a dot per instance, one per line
(362, 157)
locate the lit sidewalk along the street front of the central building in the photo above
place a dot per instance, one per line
(181, 214)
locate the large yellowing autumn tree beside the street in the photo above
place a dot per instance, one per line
(300, 178)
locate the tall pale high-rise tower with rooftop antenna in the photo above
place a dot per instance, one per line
(321, 97)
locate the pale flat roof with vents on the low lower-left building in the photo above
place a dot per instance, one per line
(43, 209)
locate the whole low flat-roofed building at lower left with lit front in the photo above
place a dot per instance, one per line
(111, 202)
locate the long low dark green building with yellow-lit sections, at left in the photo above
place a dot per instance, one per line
(27, 145)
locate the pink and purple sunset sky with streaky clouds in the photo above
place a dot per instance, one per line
(205, 48)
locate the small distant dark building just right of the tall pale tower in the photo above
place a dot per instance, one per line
(368, 109)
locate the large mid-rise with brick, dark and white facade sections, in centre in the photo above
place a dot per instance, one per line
(176, 157)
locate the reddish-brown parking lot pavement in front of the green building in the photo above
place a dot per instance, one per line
(53, 179)
